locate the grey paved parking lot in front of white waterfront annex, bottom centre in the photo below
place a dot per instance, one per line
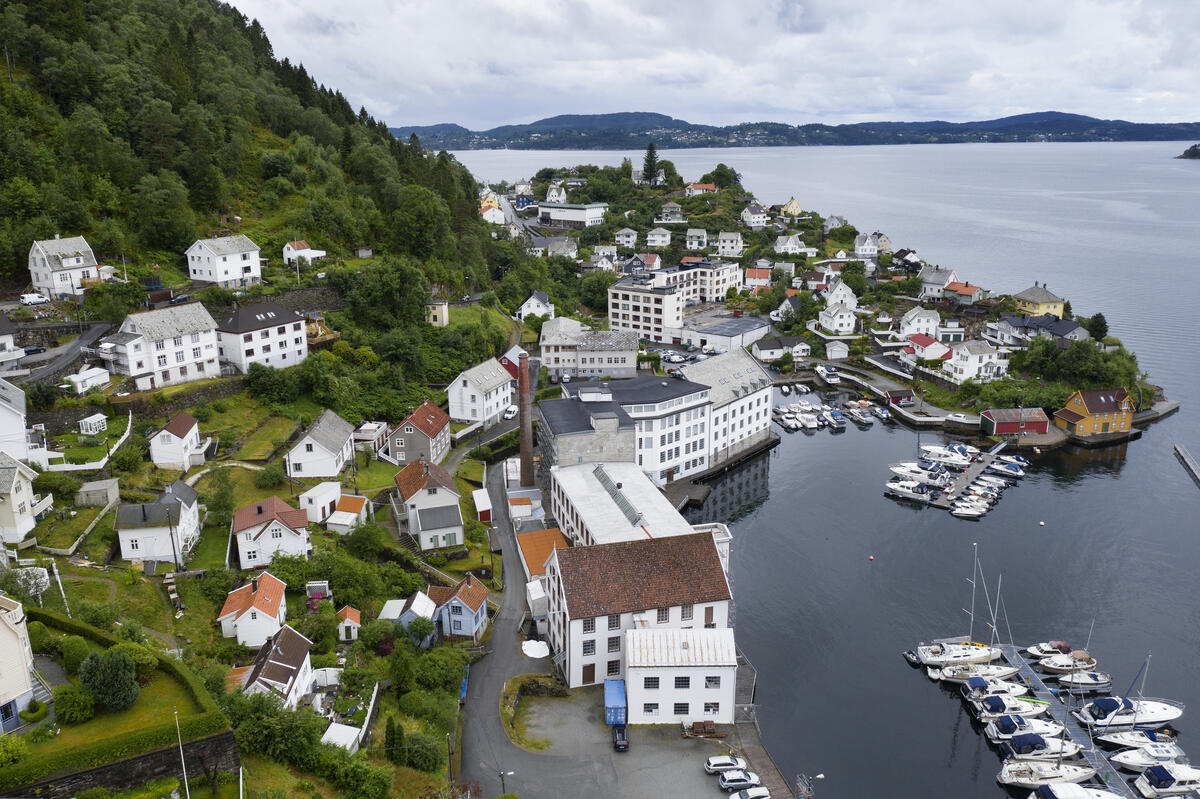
(659, 762)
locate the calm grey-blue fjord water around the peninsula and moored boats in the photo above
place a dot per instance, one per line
(1113, 227)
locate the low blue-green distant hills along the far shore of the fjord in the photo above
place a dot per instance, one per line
(634, 130)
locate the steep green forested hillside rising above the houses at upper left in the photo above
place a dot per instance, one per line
(145, 124)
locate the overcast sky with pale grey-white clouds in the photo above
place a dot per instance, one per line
(491, 63)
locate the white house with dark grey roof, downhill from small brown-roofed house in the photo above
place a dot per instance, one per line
(165, 530)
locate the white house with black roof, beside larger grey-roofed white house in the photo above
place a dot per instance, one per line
(262, 333)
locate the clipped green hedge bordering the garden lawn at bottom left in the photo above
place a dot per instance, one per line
(209, 722)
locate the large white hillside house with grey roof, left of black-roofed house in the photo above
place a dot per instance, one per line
(164, 347)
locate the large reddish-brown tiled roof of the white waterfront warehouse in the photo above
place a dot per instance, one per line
(640, 575)
